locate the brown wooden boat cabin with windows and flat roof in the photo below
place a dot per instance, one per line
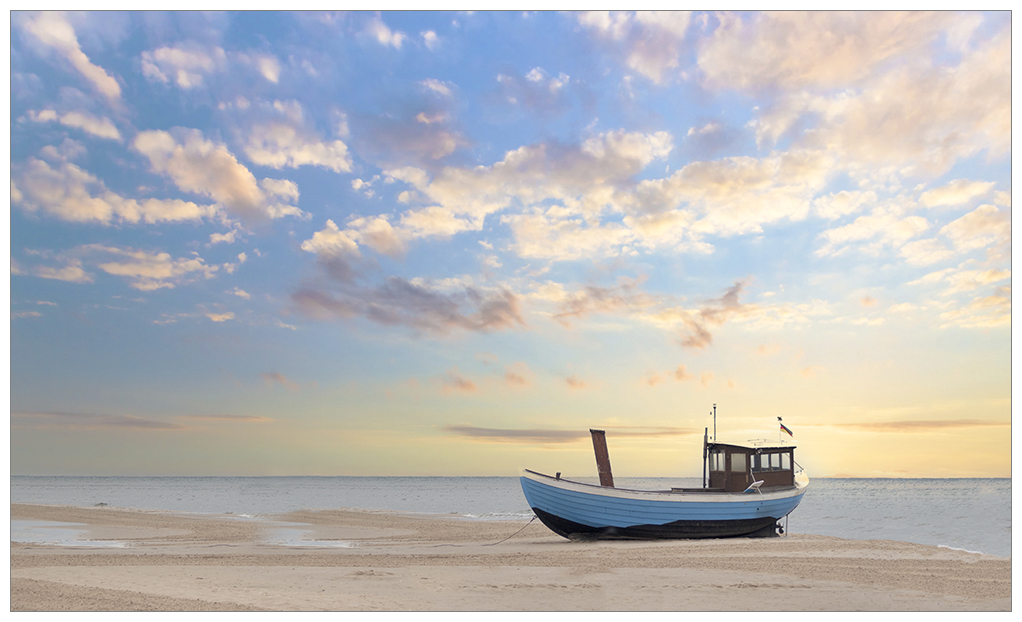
(735, 468)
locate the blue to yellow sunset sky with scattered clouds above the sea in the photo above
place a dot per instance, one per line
(450, 244)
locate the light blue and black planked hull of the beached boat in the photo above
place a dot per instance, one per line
(578, 510)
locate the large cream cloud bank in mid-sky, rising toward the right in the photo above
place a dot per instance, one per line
(578, 179)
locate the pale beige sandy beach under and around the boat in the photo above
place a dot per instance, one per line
(376, 561)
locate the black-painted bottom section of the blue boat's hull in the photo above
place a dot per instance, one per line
(765, 528)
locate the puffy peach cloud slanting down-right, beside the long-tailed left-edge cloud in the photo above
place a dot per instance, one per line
(200, 166)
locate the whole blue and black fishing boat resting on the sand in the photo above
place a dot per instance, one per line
(748, 489)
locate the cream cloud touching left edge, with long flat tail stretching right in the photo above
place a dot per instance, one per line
(71, 194)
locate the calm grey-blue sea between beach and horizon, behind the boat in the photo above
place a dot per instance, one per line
(968, 514)
